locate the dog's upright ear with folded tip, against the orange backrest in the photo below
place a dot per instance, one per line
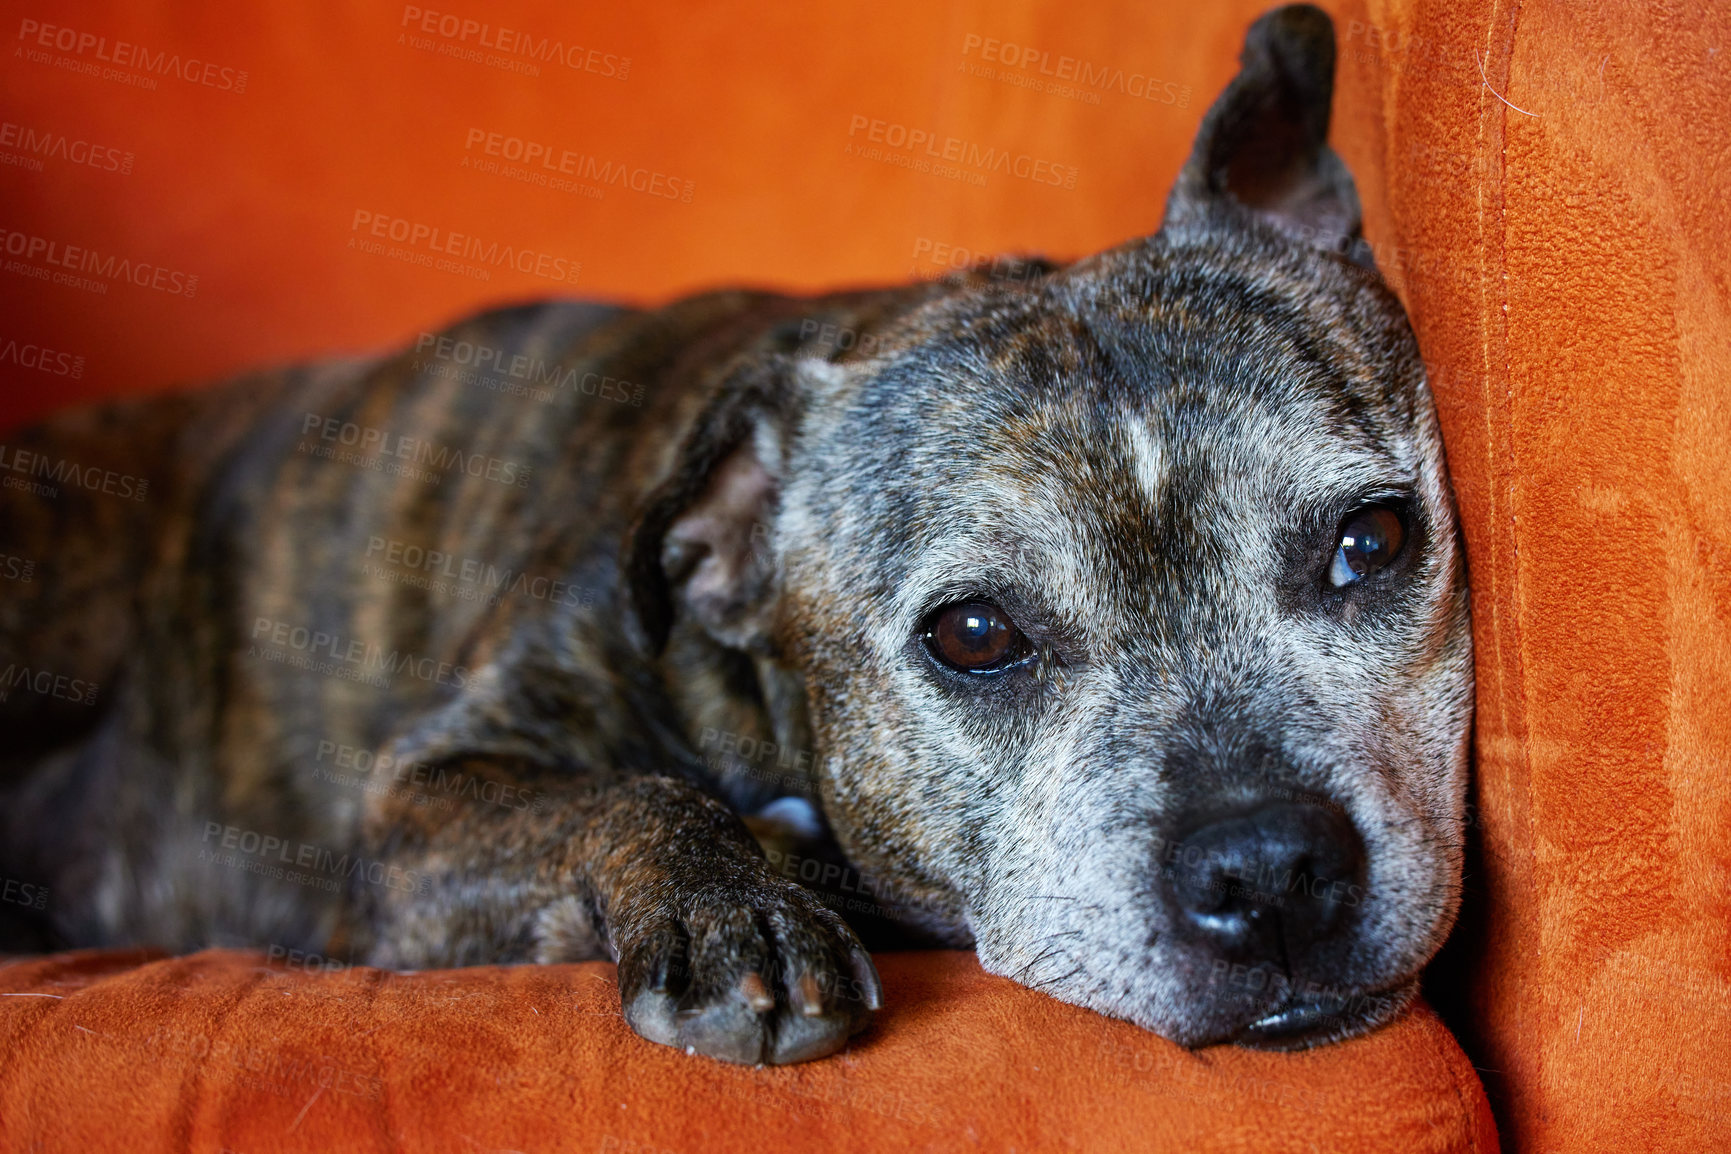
(1263, 148)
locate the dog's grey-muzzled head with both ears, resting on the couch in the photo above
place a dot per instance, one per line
(1129, 603)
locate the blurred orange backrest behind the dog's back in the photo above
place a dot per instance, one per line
(347, 179)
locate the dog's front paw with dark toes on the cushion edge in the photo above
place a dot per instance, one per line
(747, 973)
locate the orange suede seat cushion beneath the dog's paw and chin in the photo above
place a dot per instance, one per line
(219, 1051)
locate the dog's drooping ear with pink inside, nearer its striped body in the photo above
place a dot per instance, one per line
(702, 542)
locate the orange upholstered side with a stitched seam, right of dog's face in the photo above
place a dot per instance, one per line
(1562, 248)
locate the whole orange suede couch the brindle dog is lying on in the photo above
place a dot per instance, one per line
(1545, 186)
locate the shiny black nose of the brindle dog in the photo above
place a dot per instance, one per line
(1266, 887)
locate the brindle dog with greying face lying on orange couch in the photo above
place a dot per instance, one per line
(1110, 620)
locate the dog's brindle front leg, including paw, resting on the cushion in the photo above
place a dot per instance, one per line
(717, 954)
